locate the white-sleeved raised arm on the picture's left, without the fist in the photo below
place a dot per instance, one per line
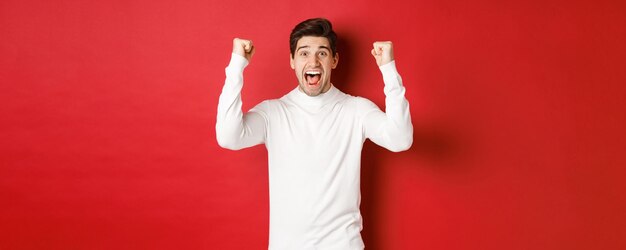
(235, 130)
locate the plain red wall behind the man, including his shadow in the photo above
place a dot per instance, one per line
(108, 115)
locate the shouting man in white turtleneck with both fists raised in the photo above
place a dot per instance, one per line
(314, 136)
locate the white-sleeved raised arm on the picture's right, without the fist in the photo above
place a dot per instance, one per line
(393, 129)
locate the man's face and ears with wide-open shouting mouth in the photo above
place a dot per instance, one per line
(312, 63)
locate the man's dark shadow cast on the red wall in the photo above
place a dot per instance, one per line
(438, 143)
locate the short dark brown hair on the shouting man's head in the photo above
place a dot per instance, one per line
(319, 27)
